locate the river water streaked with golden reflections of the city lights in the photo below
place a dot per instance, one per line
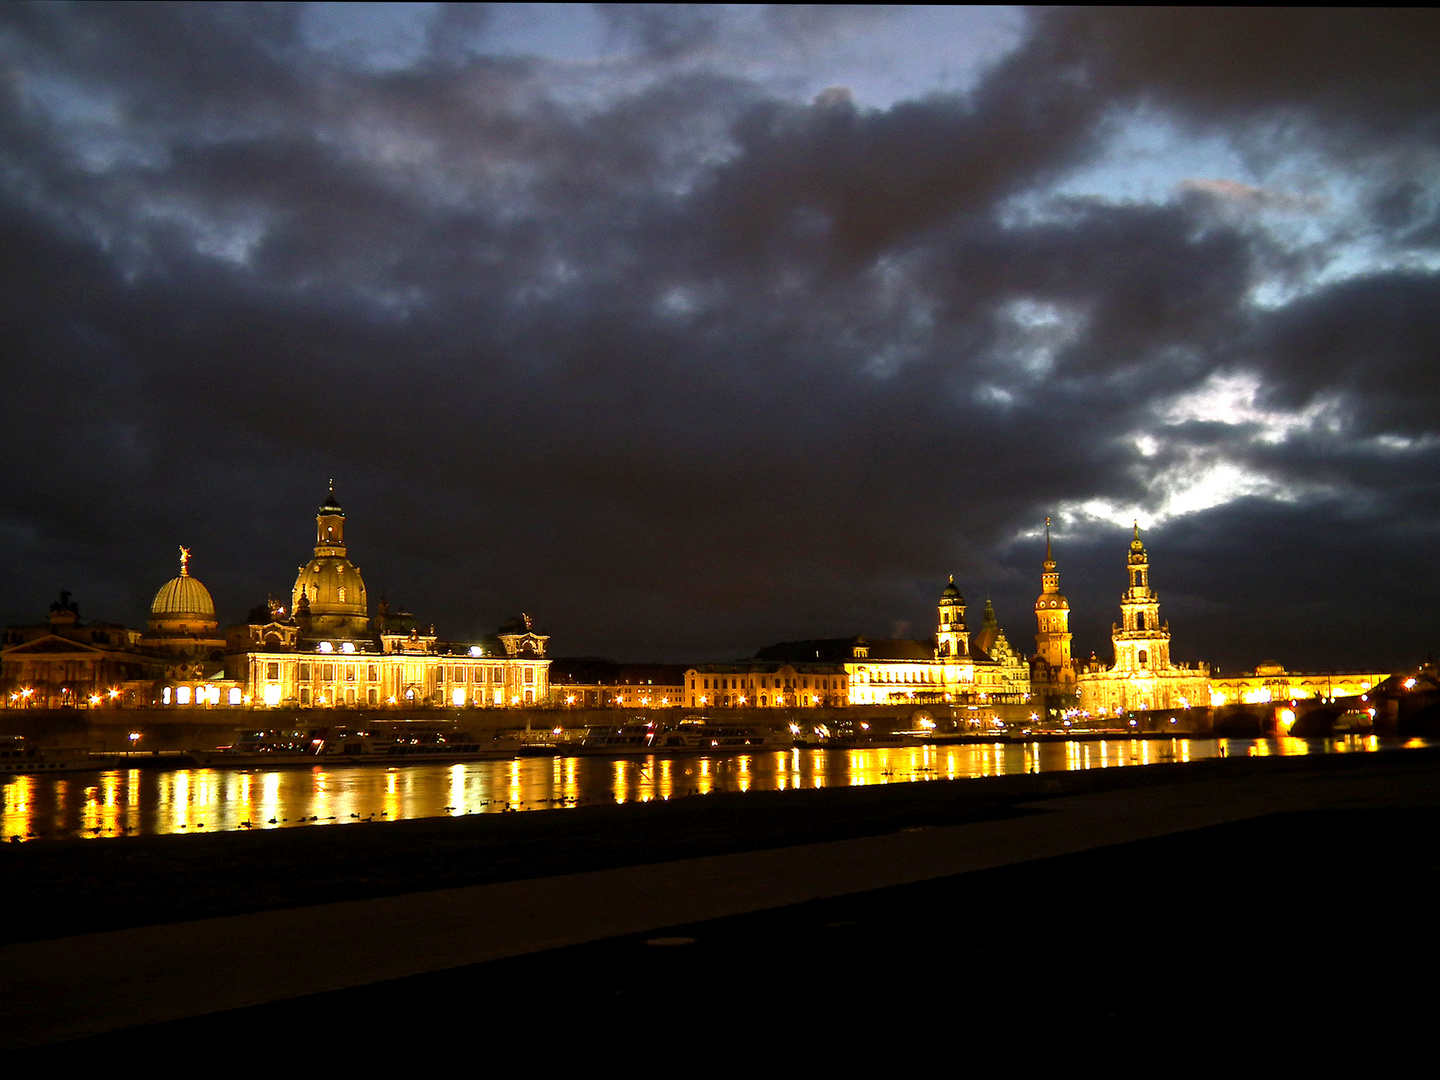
(133, 801)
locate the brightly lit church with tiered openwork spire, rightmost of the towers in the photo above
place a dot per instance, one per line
(1143, 676)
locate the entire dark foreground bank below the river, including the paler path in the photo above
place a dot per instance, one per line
(1228, 918)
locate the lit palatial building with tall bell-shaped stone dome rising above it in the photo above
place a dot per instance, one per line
(328, 653)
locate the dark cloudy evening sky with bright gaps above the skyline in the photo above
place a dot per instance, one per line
(690, 330)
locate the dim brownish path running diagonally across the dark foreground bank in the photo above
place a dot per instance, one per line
(73, 987)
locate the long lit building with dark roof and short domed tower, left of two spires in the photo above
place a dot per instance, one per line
(954, 667)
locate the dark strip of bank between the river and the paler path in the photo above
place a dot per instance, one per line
(81, 886)
